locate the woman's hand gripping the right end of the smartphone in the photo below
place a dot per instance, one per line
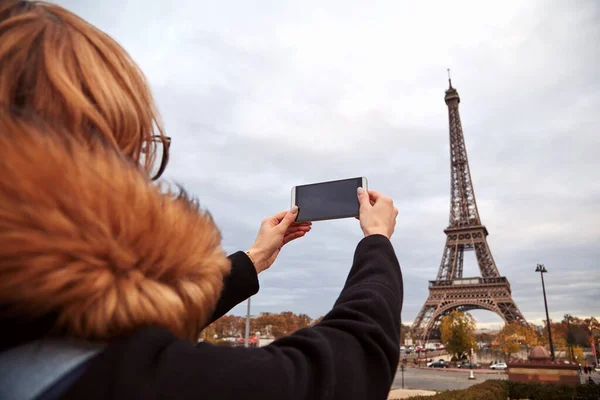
(377, 213)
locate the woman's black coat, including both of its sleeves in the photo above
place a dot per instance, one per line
(352, 353)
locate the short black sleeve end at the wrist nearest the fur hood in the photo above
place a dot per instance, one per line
(239, 285)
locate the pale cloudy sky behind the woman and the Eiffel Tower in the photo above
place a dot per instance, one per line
(260, 96)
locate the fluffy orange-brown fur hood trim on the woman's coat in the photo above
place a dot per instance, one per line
(85, 236)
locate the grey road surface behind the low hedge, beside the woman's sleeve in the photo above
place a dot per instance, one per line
(433, 379)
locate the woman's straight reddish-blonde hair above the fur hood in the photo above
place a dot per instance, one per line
(66, 70)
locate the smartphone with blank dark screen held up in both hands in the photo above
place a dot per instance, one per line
(328, 200)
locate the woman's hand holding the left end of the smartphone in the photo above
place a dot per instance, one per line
(274, 233)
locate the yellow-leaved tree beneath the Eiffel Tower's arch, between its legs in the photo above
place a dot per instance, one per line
(457, 333)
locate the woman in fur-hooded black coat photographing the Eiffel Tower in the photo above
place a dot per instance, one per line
(109, 280)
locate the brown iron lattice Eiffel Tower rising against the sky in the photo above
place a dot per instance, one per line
(450, 291)
